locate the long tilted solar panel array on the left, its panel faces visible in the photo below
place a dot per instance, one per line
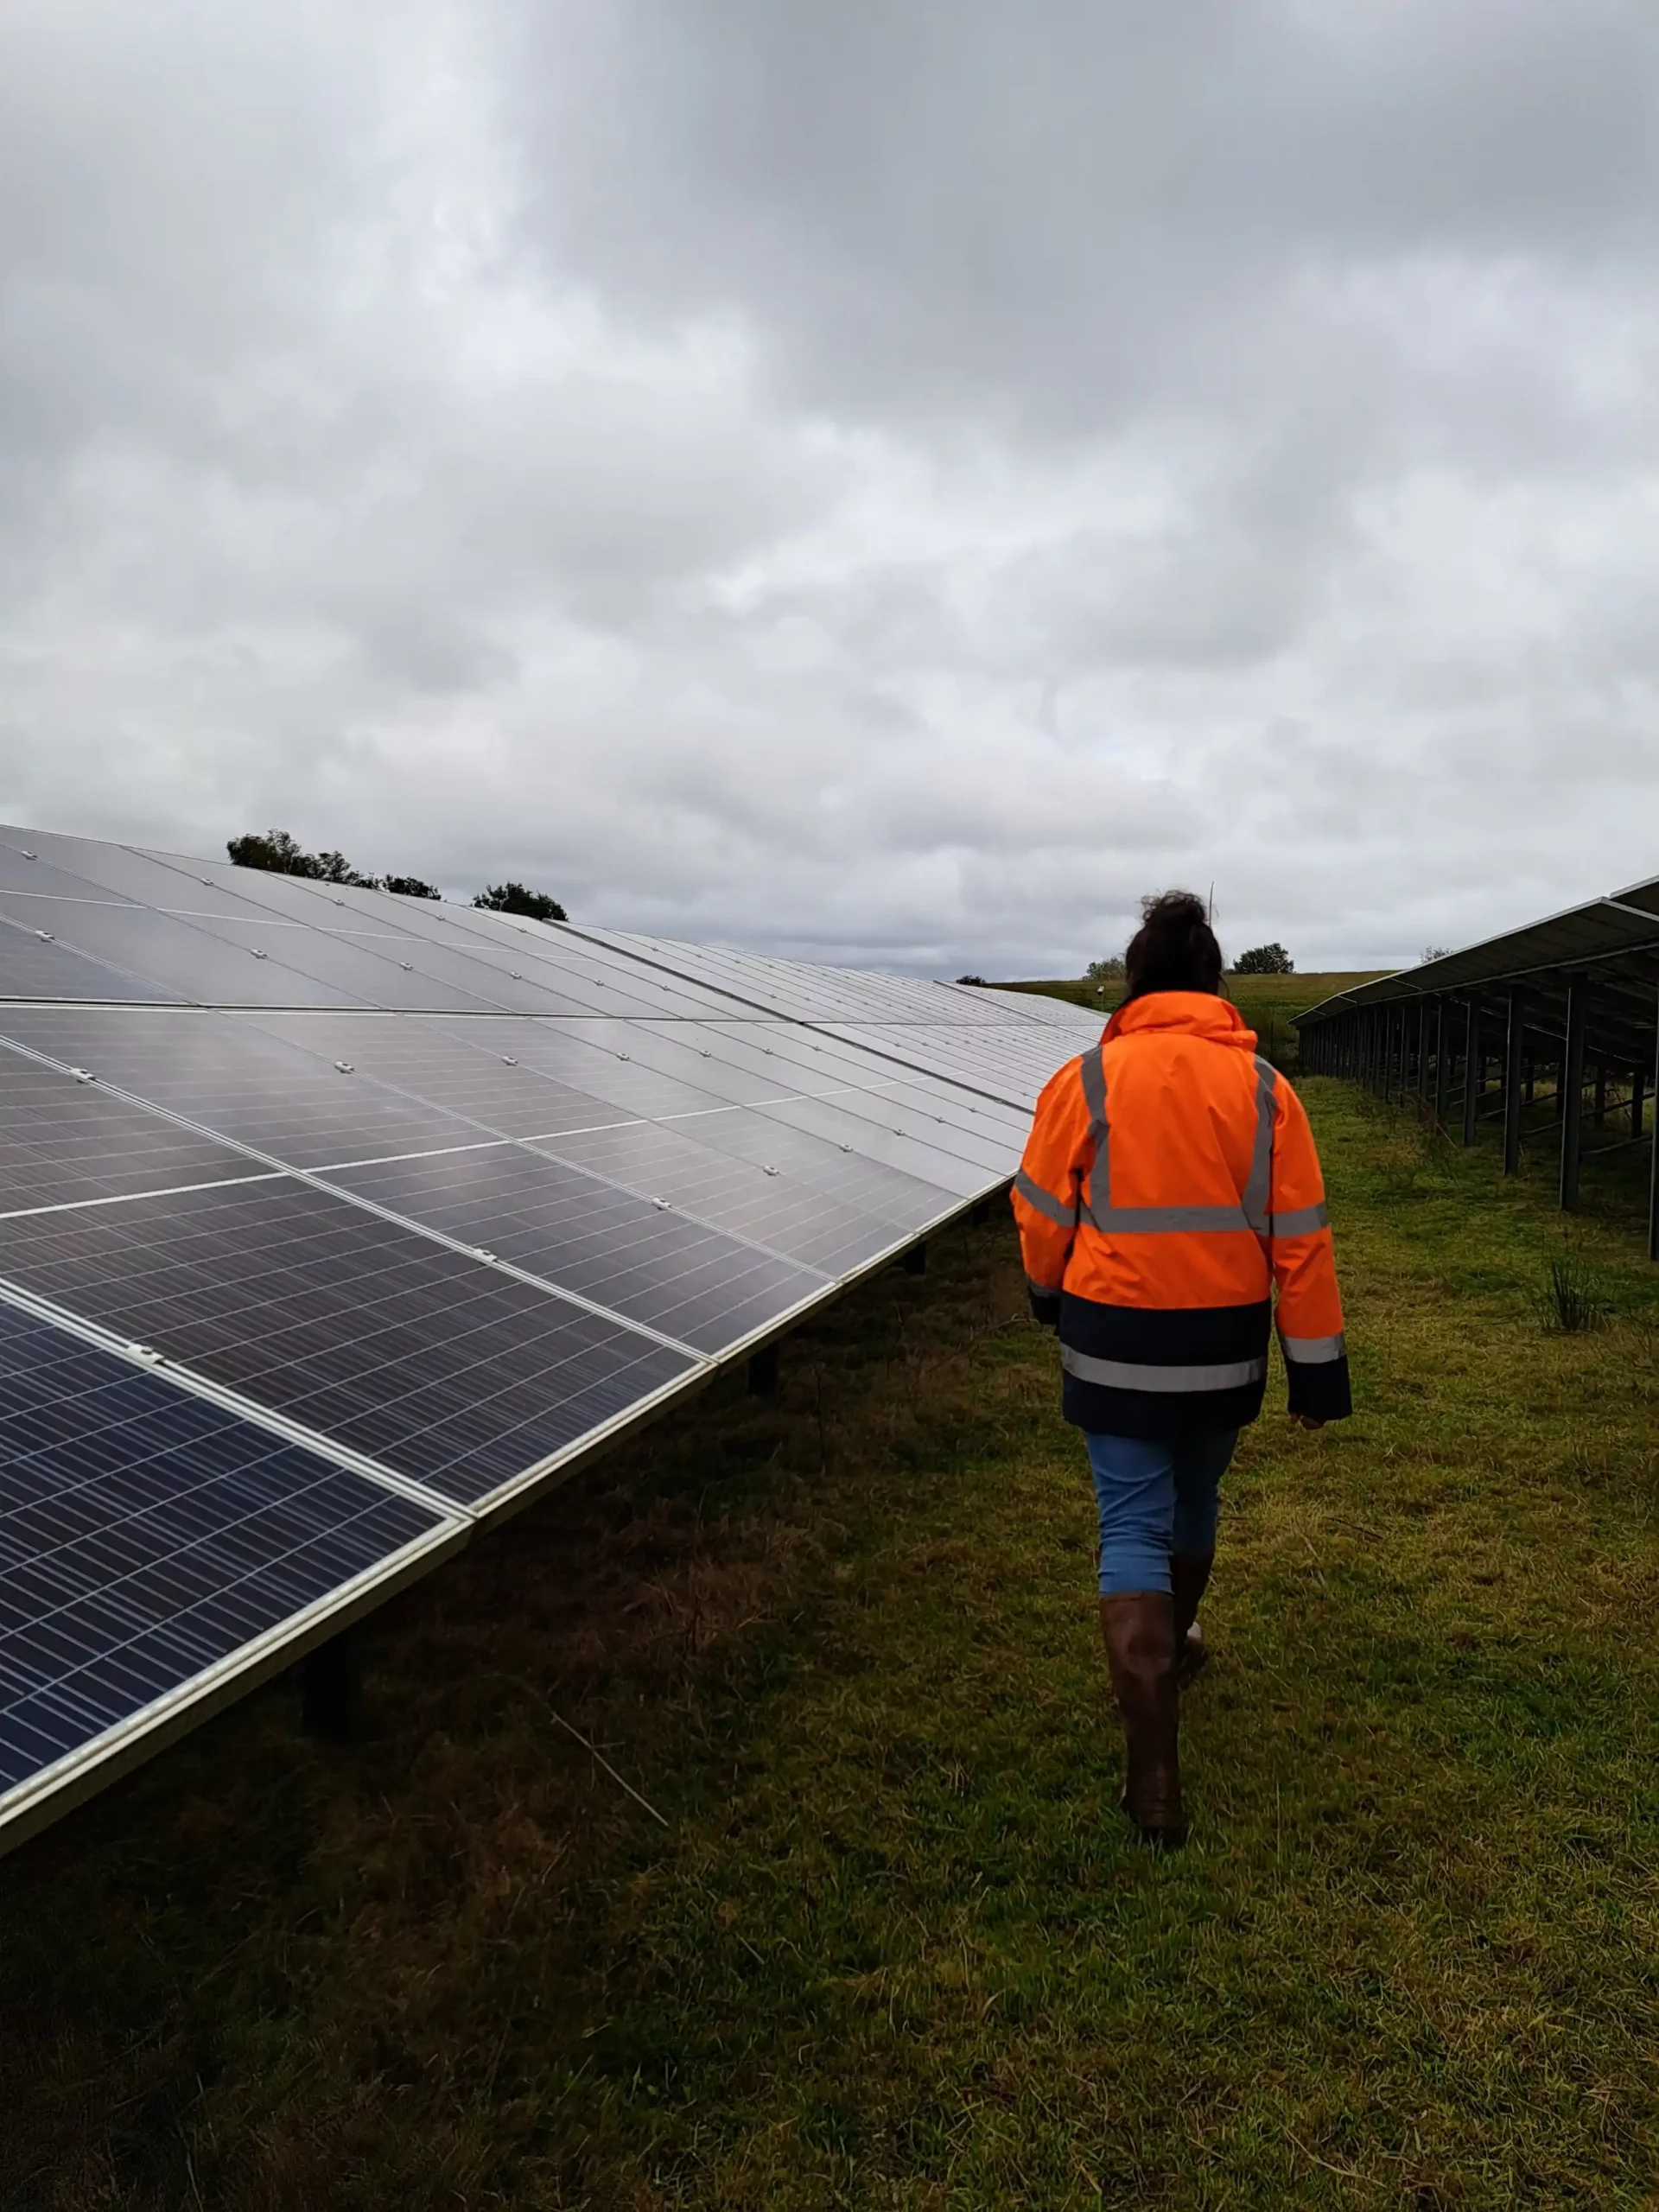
(335, 1224)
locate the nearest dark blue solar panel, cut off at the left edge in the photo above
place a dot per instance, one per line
(152, 1541)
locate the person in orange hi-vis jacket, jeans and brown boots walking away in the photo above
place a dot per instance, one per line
(1169, 1187)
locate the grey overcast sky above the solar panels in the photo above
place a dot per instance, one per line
(870, 479)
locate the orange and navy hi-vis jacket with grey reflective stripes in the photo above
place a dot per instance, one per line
(1169, 1187)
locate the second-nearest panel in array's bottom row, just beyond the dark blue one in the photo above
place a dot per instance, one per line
(373, 1337)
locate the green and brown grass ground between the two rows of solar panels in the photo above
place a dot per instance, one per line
(888, 1943)
